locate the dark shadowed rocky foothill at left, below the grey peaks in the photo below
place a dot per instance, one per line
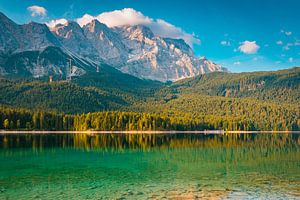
(50, 61)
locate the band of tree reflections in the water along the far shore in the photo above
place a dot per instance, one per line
(119, 142)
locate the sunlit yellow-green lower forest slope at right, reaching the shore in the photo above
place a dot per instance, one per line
(225, 113)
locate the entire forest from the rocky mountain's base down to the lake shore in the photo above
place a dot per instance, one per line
(246, 101)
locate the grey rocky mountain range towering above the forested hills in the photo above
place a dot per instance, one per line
(131, 49)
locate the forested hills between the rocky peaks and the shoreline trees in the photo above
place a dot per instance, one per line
(109, 89)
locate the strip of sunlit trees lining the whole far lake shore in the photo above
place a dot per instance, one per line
(19, 119)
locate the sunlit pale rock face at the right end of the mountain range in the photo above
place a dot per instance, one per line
(159, 58)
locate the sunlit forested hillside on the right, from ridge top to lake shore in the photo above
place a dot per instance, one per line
(251, 101)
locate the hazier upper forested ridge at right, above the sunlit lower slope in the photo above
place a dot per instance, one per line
(282, 85)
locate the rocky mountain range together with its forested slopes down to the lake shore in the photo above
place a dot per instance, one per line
(110, 68)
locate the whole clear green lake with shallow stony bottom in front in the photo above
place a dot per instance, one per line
(158, 166)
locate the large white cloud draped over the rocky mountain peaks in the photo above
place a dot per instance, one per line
(129, 16)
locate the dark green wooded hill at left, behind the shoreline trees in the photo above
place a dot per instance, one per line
(57, 96)
